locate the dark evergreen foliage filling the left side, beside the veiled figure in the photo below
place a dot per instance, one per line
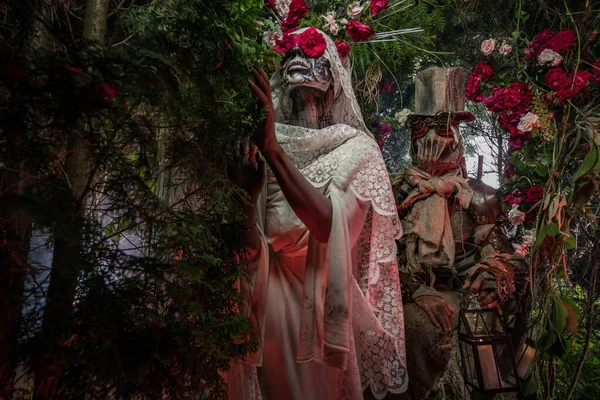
(155, 290)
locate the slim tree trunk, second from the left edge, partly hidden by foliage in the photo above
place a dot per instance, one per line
(67, 261)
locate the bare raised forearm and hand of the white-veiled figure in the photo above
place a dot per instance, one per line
(309, 204)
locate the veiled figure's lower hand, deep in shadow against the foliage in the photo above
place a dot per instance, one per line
(247, 169)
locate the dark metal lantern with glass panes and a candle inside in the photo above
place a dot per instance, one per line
(488, 360)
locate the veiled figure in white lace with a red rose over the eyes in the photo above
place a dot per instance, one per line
(322, 285)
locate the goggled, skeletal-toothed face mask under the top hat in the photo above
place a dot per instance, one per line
(436, 144)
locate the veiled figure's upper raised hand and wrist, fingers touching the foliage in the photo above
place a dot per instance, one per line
(265, 137)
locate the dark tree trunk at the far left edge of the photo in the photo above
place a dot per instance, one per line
(15, 219)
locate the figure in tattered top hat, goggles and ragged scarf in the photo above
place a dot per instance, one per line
(453, 237)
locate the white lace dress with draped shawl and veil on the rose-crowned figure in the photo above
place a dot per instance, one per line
(328, 316)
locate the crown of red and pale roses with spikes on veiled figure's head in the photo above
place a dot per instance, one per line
(354, 29)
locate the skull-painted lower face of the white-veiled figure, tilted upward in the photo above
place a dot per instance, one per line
(301, 71)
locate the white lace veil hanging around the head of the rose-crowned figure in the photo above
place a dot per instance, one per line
(345, 109)
